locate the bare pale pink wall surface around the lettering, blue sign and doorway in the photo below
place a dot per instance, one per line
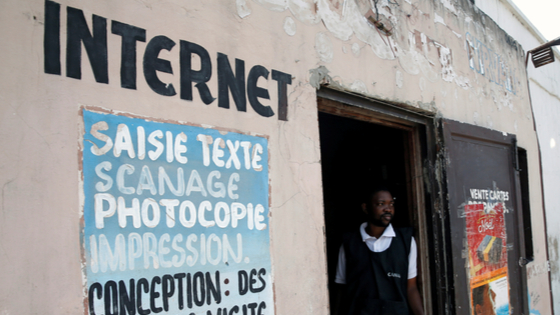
(443, 57)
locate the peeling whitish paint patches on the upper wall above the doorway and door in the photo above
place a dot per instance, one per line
(347, 18)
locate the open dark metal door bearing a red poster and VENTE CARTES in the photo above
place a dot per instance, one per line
(484, 213)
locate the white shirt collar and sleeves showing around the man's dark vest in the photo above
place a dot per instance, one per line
(376, 245)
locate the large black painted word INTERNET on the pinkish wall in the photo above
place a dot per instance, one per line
(78, 34)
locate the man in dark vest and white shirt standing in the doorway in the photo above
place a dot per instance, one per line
(377, 264)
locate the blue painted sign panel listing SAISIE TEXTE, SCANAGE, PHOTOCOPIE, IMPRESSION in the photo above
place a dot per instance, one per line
(175, 218)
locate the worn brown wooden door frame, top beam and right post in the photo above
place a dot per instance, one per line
(425, 182)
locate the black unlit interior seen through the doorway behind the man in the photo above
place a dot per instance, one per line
(357, 156)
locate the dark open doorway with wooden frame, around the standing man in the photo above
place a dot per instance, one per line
(366, 147)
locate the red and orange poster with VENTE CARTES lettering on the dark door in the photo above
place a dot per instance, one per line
(486, 235)
